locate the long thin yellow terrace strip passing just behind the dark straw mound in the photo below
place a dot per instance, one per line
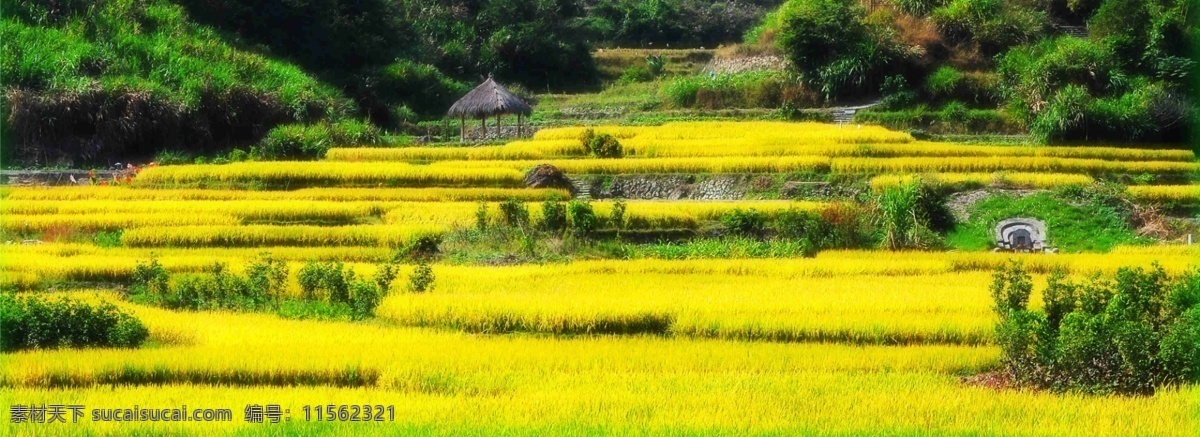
(509, 173)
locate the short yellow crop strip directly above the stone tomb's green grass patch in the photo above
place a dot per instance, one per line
(1031, 181)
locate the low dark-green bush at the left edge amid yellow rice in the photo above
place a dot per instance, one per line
(33, 322)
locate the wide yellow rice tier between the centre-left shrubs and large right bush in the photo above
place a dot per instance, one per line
(891, 310)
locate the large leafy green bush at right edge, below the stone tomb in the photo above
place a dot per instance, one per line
(1130, 337)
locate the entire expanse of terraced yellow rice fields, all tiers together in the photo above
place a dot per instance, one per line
(847, 343)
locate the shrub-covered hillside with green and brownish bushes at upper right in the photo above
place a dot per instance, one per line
(1064, 70)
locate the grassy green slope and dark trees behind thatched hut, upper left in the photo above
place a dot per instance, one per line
(94, 81)
